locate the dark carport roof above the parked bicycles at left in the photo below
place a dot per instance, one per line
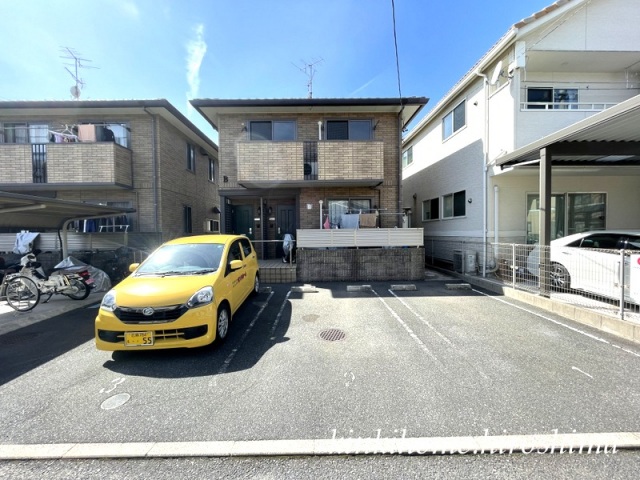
(31, 212)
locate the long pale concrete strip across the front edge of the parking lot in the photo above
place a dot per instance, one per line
(568, 444)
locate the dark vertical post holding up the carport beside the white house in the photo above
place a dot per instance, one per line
(545, 220)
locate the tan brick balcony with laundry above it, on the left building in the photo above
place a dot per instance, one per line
(53, 166)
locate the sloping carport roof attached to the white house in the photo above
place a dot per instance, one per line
(608, 138)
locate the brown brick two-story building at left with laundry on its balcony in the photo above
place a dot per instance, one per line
(134, 154)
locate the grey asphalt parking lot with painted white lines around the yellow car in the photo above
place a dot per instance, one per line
(332, 369)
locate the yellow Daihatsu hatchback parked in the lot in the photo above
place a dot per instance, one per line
(183, 295)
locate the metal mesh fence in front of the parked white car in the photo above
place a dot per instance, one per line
(607, 281)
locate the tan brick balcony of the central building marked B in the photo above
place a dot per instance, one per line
(305, 164)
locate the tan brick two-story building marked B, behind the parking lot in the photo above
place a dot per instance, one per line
(288, 164)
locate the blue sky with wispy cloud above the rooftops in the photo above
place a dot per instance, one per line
(183, 49)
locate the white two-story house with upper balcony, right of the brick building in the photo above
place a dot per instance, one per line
(539, 139)
